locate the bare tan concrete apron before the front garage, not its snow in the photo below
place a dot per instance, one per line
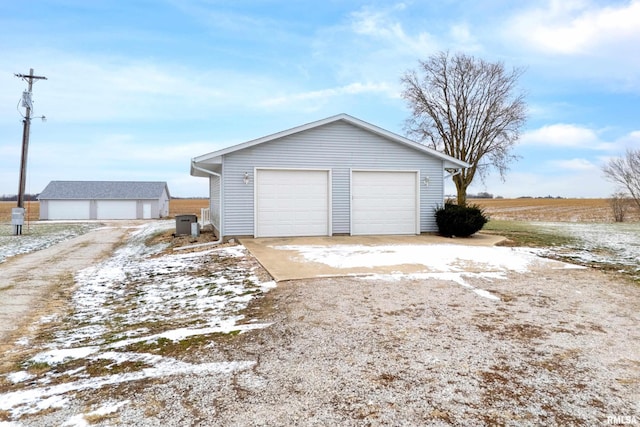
(283, 258)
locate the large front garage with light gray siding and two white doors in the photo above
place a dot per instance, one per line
(339, 175)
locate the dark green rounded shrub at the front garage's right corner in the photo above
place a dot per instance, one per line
(460, 221)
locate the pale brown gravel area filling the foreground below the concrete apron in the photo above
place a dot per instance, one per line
(556, 347)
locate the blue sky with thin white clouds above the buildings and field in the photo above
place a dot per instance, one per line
(137, 88)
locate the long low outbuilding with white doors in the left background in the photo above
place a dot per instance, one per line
(83, 200)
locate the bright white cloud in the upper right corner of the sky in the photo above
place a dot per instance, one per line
(578, 41)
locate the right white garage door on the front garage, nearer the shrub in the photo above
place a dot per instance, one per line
(384, 203)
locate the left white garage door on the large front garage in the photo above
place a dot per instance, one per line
(292, 203)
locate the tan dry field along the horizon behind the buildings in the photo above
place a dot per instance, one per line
(552, 210)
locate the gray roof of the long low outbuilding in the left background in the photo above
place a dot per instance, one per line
(113, 190)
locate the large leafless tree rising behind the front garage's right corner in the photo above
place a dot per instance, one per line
(467, 108)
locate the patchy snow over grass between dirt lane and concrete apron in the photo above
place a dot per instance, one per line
(137, 296)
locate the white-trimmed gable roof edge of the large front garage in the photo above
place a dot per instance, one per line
(216, 156)
